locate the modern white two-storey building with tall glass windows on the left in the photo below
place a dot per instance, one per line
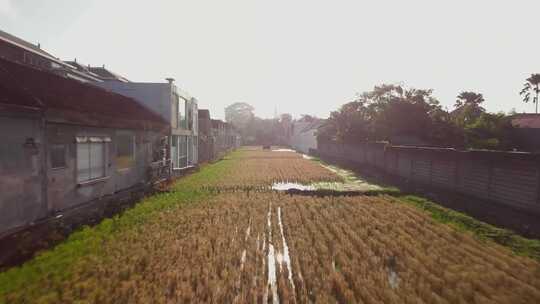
(173, 105)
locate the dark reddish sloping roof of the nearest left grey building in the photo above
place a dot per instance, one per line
(25, 86)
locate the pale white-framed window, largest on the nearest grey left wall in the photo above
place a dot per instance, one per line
(91, 157)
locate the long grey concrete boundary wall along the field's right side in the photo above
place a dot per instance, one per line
(510, 178)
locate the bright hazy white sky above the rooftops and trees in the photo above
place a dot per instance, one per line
(303, 57)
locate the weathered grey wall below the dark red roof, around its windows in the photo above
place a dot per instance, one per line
(30, 189)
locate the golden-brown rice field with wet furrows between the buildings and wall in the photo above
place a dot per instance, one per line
(272, 247)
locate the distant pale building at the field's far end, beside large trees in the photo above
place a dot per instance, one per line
(303, 136)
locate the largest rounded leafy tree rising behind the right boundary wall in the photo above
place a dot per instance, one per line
(383, 113)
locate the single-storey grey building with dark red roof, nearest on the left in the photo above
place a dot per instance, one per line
(74, 144)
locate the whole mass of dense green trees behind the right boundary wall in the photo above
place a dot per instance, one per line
(399, 115)
